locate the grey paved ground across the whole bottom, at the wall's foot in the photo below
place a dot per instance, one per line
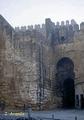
(49, 115)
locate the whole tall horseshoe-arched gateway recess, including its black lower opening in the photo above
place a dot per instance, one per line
(65, 78)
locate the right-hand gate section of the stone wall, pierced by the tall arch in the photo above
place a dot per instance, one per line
(67, 44)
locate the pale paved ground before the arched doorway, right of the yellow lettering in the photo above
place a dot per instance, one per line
(60, 114)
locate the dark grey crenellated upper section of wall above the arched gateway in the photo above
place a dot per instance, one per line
(62, 32)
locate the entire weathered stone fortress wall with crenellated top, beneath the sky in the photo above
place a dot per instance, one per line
(31, 55)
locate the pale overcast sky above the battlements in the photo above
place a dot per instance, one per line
(27, 12)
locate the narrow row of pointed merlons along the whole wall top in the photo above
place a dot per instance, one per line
(48, 20)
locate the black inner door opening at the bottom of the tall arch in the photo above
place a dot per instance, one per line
(68, 93)
